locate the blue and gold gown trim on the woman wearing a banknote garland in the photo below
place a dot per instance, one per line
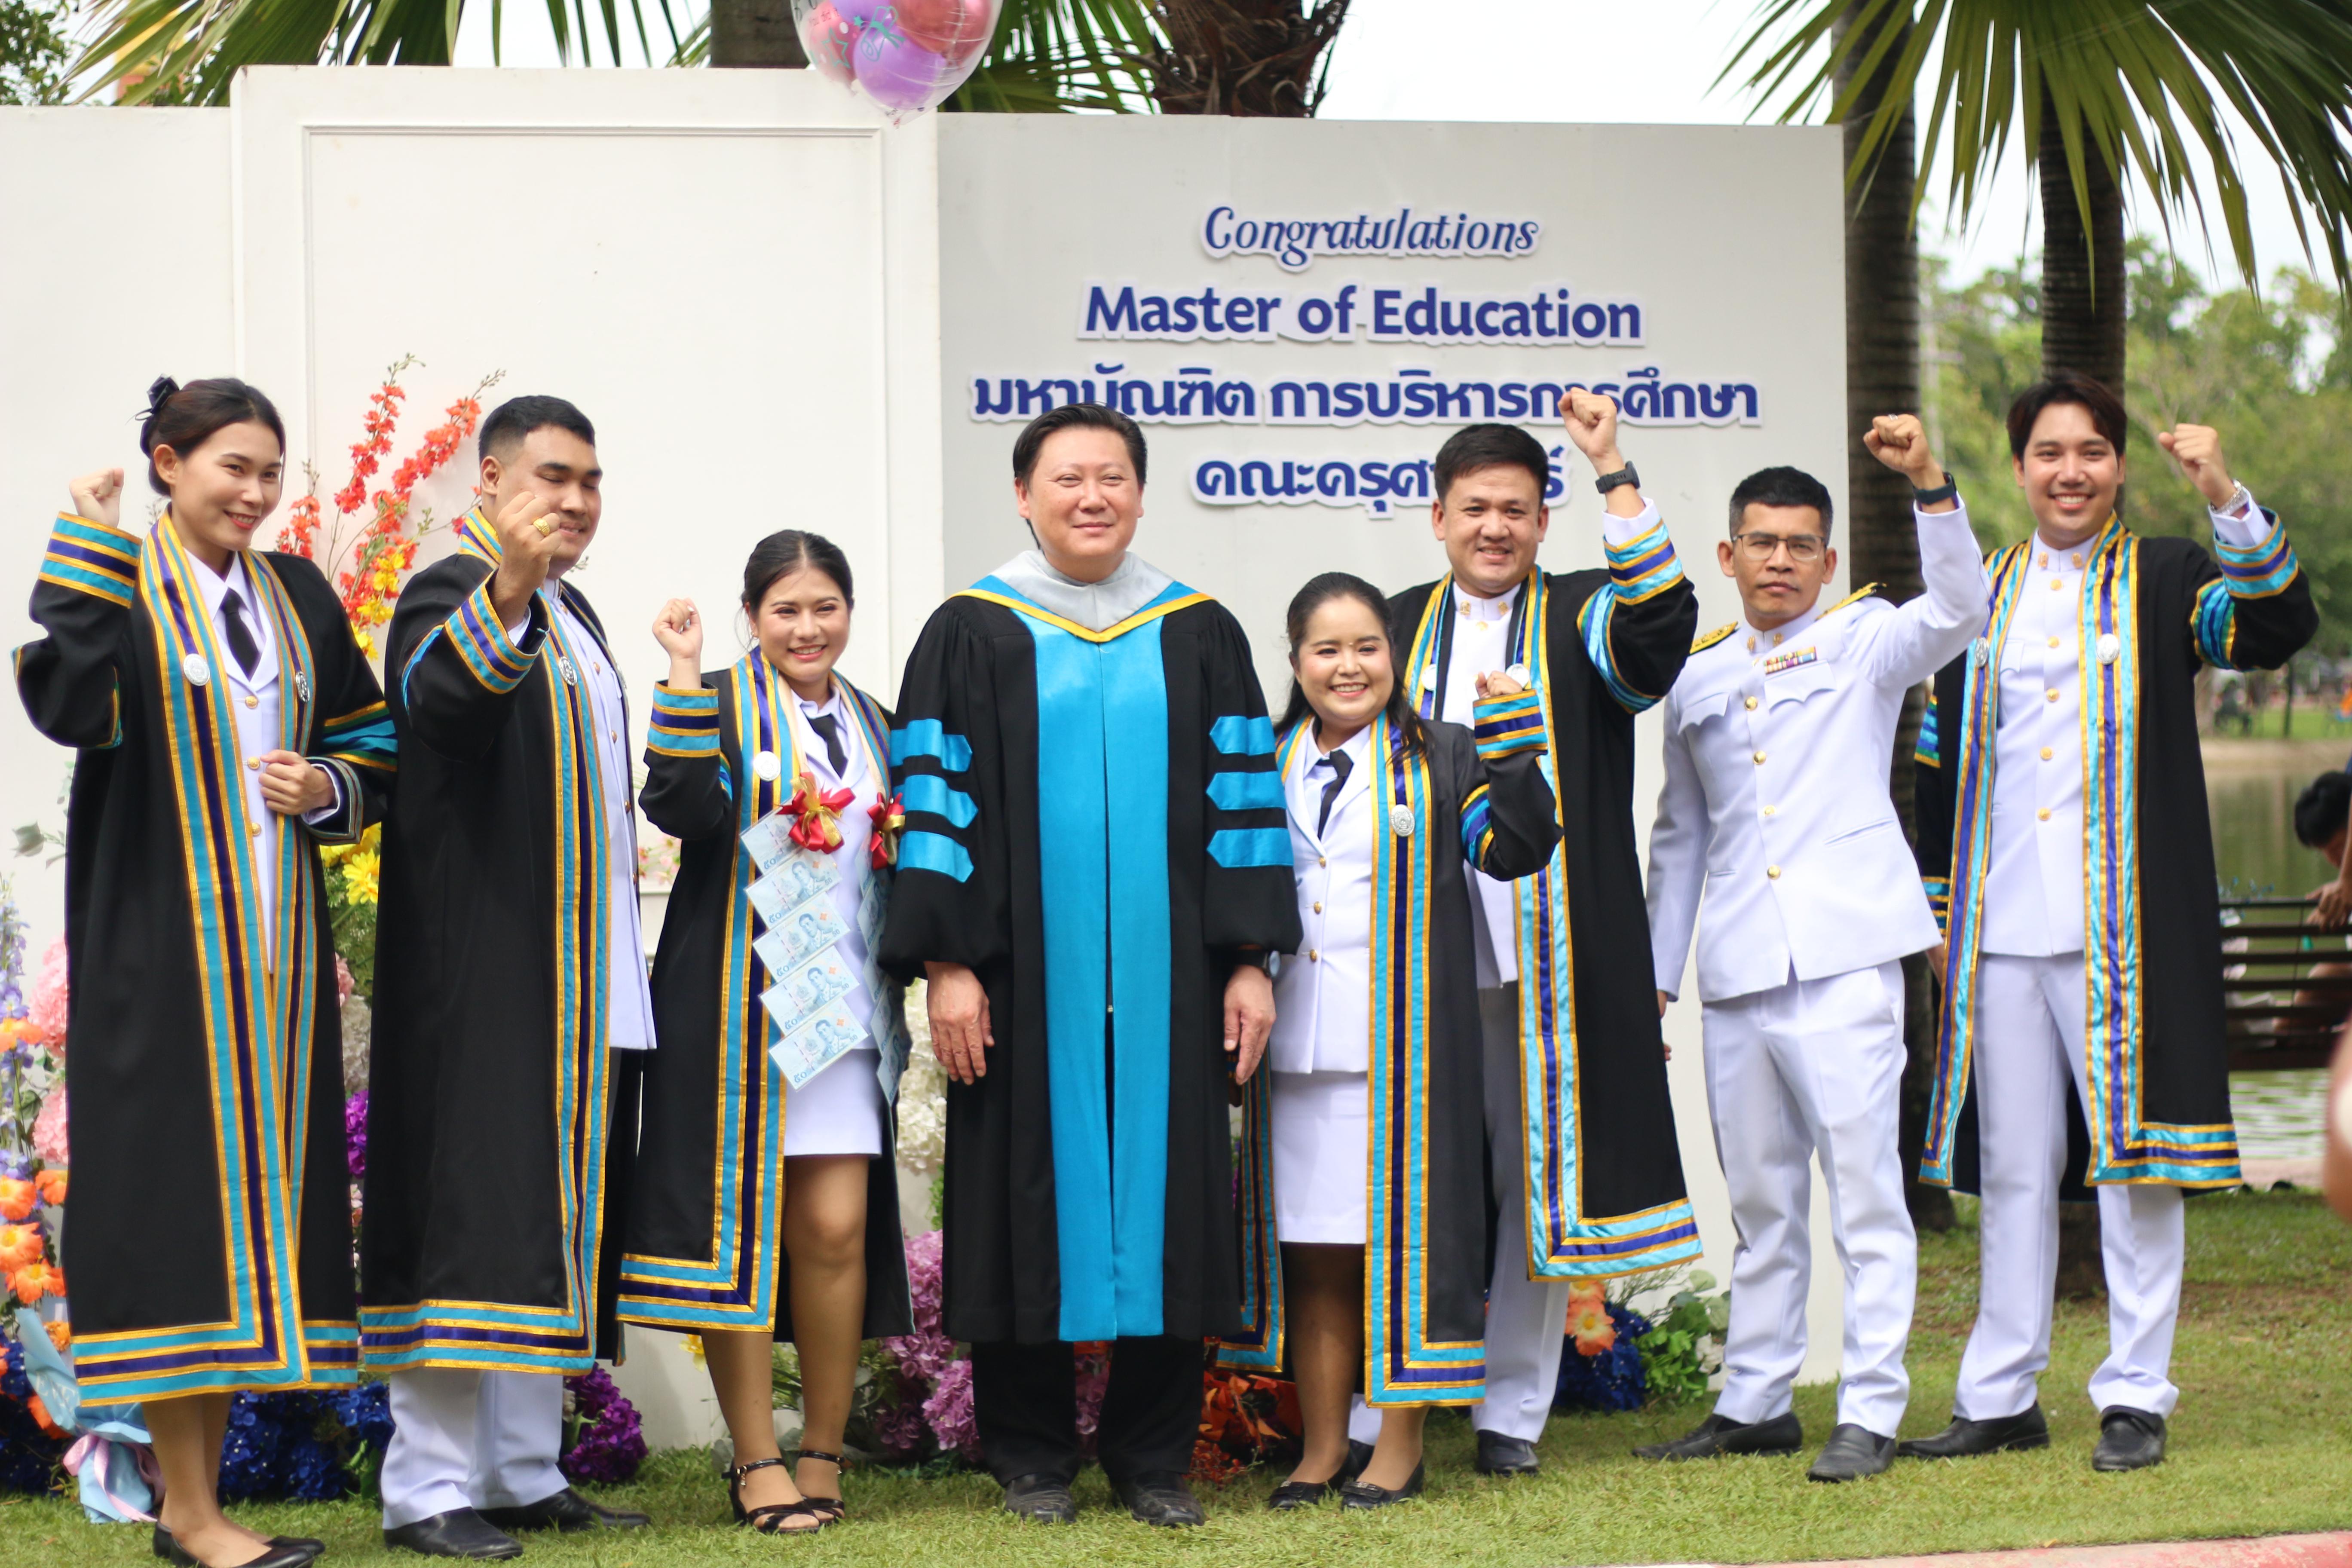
(735, 1282)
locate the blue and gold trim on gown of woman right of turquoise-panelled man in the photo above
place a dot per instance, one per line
(1403, 1365)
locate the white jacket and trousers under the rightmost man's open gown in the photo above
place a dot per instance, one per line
(2031, 1033)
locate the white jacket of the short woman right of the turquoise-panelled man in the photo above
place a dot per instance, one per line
(1323, 996)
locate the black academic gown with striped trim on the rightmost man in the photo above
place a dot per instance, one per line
(2160, 1064)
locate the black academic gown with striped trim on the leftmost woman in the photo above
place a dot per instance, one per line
(208, 1226)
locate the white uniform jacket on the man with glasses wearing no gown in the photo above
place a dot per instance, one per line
(1775, 808)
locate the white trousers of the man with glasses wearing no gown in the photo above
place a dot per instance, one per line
(1800, 1071)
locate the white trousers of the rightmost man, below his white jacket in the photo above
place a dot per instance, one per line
(2029, 1038)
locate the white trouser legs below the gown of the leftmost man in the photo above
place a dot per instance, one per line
(472, 1440)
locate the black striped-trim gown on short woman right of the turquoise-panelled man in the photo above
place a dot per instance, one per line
(1474, 800)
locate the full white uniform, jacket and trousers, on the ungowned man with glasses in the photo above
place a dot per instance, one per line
(1779, 822)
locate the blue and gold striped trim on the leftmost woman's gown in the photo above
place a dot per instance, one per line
(260, 1017)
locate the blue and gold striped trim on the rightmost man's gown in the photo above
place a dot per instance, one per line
(2125, 1146)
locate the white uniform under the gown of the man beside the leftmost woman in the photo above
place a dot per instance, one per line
(493, 1440)
